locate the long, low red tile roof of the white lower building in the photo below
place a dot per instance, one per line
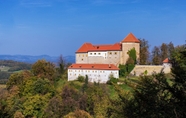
(94, 66)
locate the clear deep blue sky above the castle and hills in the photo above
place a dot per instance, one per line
(55, 27)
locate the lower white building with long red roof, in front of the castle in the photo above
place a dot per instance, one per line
(95, 72)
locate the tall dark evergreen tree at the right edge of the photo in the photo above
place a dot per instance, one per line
(178, 60)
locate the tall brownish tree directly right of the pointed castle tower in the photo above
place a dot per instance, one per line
(144, 52)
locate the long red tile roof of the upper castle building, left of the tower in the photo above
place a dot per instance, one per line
(86, 47)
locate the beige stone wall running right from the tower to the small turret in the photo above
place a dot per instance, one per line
(150, 69)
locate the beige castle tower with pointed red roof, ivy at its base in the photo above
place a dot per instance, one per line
(129, 42)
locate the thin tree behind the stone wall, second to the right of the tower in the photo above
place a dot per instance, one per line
(156, 56)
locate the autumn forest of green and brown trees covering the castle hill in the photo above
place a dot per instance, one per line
(44, 92)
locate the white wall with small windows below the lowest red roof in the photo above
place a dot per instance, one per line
(101, 76)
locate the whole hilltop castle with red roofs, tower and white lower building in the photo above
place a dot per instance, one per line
(98, 62)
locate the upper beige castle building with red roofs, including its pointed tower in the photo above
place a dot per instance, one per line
(108, 54)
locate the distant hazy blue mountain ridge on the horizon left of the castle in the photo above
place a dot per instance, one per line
(33, 59)
